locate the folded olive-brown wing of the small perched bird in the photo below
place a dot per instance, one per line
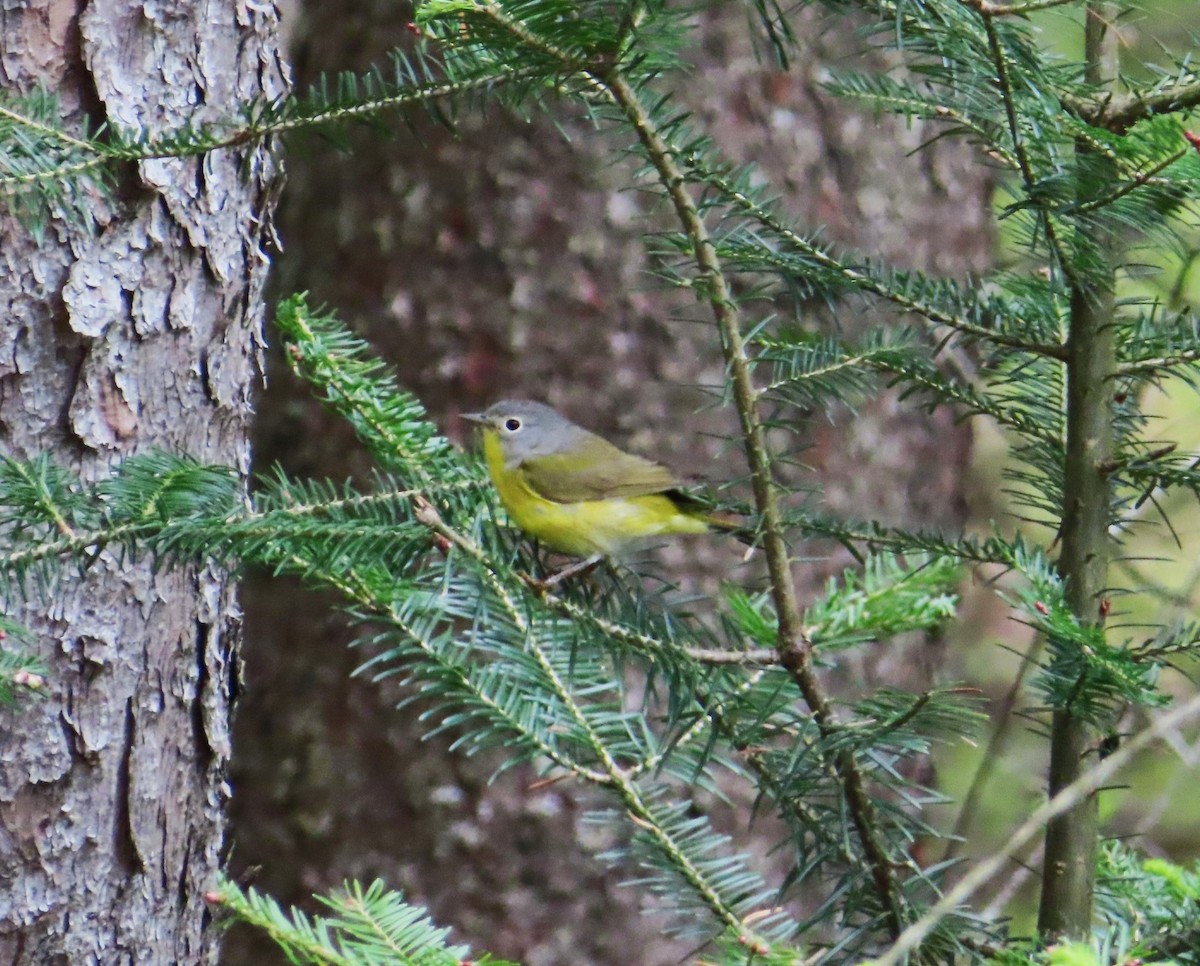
(596, 470)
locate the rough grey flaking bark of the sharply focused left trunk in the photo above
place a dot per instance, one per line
(142, 331)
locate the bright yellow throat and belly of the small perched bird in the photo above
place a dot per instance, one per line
(581, 530)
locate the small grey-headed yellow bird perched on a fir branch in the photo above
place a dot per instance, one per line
(578, 494)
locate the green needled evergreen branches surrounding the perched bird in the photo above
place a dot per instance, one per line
(625, 689)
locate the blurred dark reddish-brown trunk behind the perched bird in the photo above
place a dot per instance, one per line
(503, 261)
